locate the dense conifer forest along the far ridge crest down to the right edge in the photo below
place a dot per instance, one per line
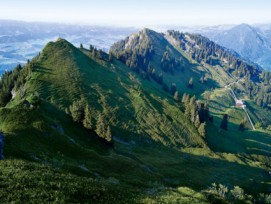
(257, 83)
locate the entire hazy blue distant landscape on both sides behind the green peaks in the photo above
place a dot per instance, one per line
(20, 41)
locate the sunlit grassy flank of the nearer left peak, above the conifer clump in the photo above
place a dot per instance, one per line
(129, 104)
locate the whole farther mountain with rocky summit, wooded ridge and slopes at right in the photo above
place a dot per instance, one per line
(210, 66)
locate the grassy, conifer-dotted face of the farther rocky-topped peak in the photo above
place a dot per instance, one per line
(174, 73)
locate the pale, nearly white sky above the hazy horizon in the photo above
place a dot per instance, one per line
(139, 12)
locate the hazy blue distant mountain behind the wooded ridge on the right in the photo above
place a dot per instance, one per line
(251, 42)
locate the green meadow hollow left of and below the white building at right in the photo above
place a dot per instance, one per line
(234, 140)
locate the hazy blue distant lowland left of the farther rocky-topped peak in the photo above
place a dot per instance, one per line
(20, 41)
